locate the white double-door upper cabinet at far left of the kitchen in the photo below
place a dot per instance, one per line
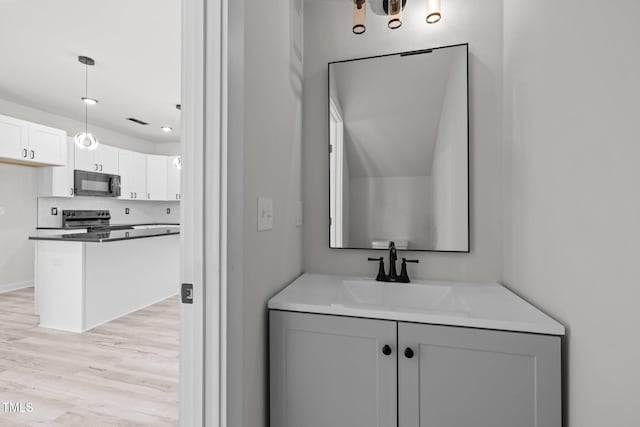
(32, 144)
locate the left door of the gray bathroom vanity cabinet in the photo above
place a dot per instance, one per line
(329, 371)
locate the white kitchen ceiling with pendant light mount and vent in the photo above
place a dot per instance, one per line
(136, 46)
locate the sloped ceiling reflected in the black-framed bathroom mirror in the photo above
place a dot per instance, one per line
(391, 107)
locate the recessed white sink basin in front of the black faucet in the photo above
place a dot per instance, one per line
(369, 294)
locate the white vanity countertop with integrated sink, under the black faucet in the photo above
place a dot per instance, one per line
(468, 304)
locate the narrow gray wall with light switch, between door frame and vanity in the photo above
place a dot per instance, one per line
(272, 168)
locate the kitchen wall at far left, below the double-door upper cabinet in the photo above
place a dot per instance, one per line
(17, 187)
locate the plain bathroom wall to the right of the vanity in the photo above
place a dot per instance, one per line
(571, 143)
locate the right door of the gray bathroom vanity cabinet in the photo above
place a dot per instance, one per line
(461, 377)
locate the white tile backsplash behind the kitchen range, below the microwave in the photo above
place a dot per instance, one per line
(139, 211)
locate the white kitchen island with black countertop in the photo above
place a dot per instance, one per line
(83, 280)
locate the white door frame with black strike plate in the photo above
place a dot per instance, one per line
(203, 326)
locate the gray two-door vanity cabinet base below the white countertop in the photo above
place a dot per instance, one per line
(340, 371)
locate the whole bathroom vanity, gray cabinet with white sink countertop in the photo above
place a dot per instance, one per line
(346, 351)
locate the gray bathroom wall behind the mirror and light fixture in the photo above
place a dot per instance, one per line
(328, 38)
